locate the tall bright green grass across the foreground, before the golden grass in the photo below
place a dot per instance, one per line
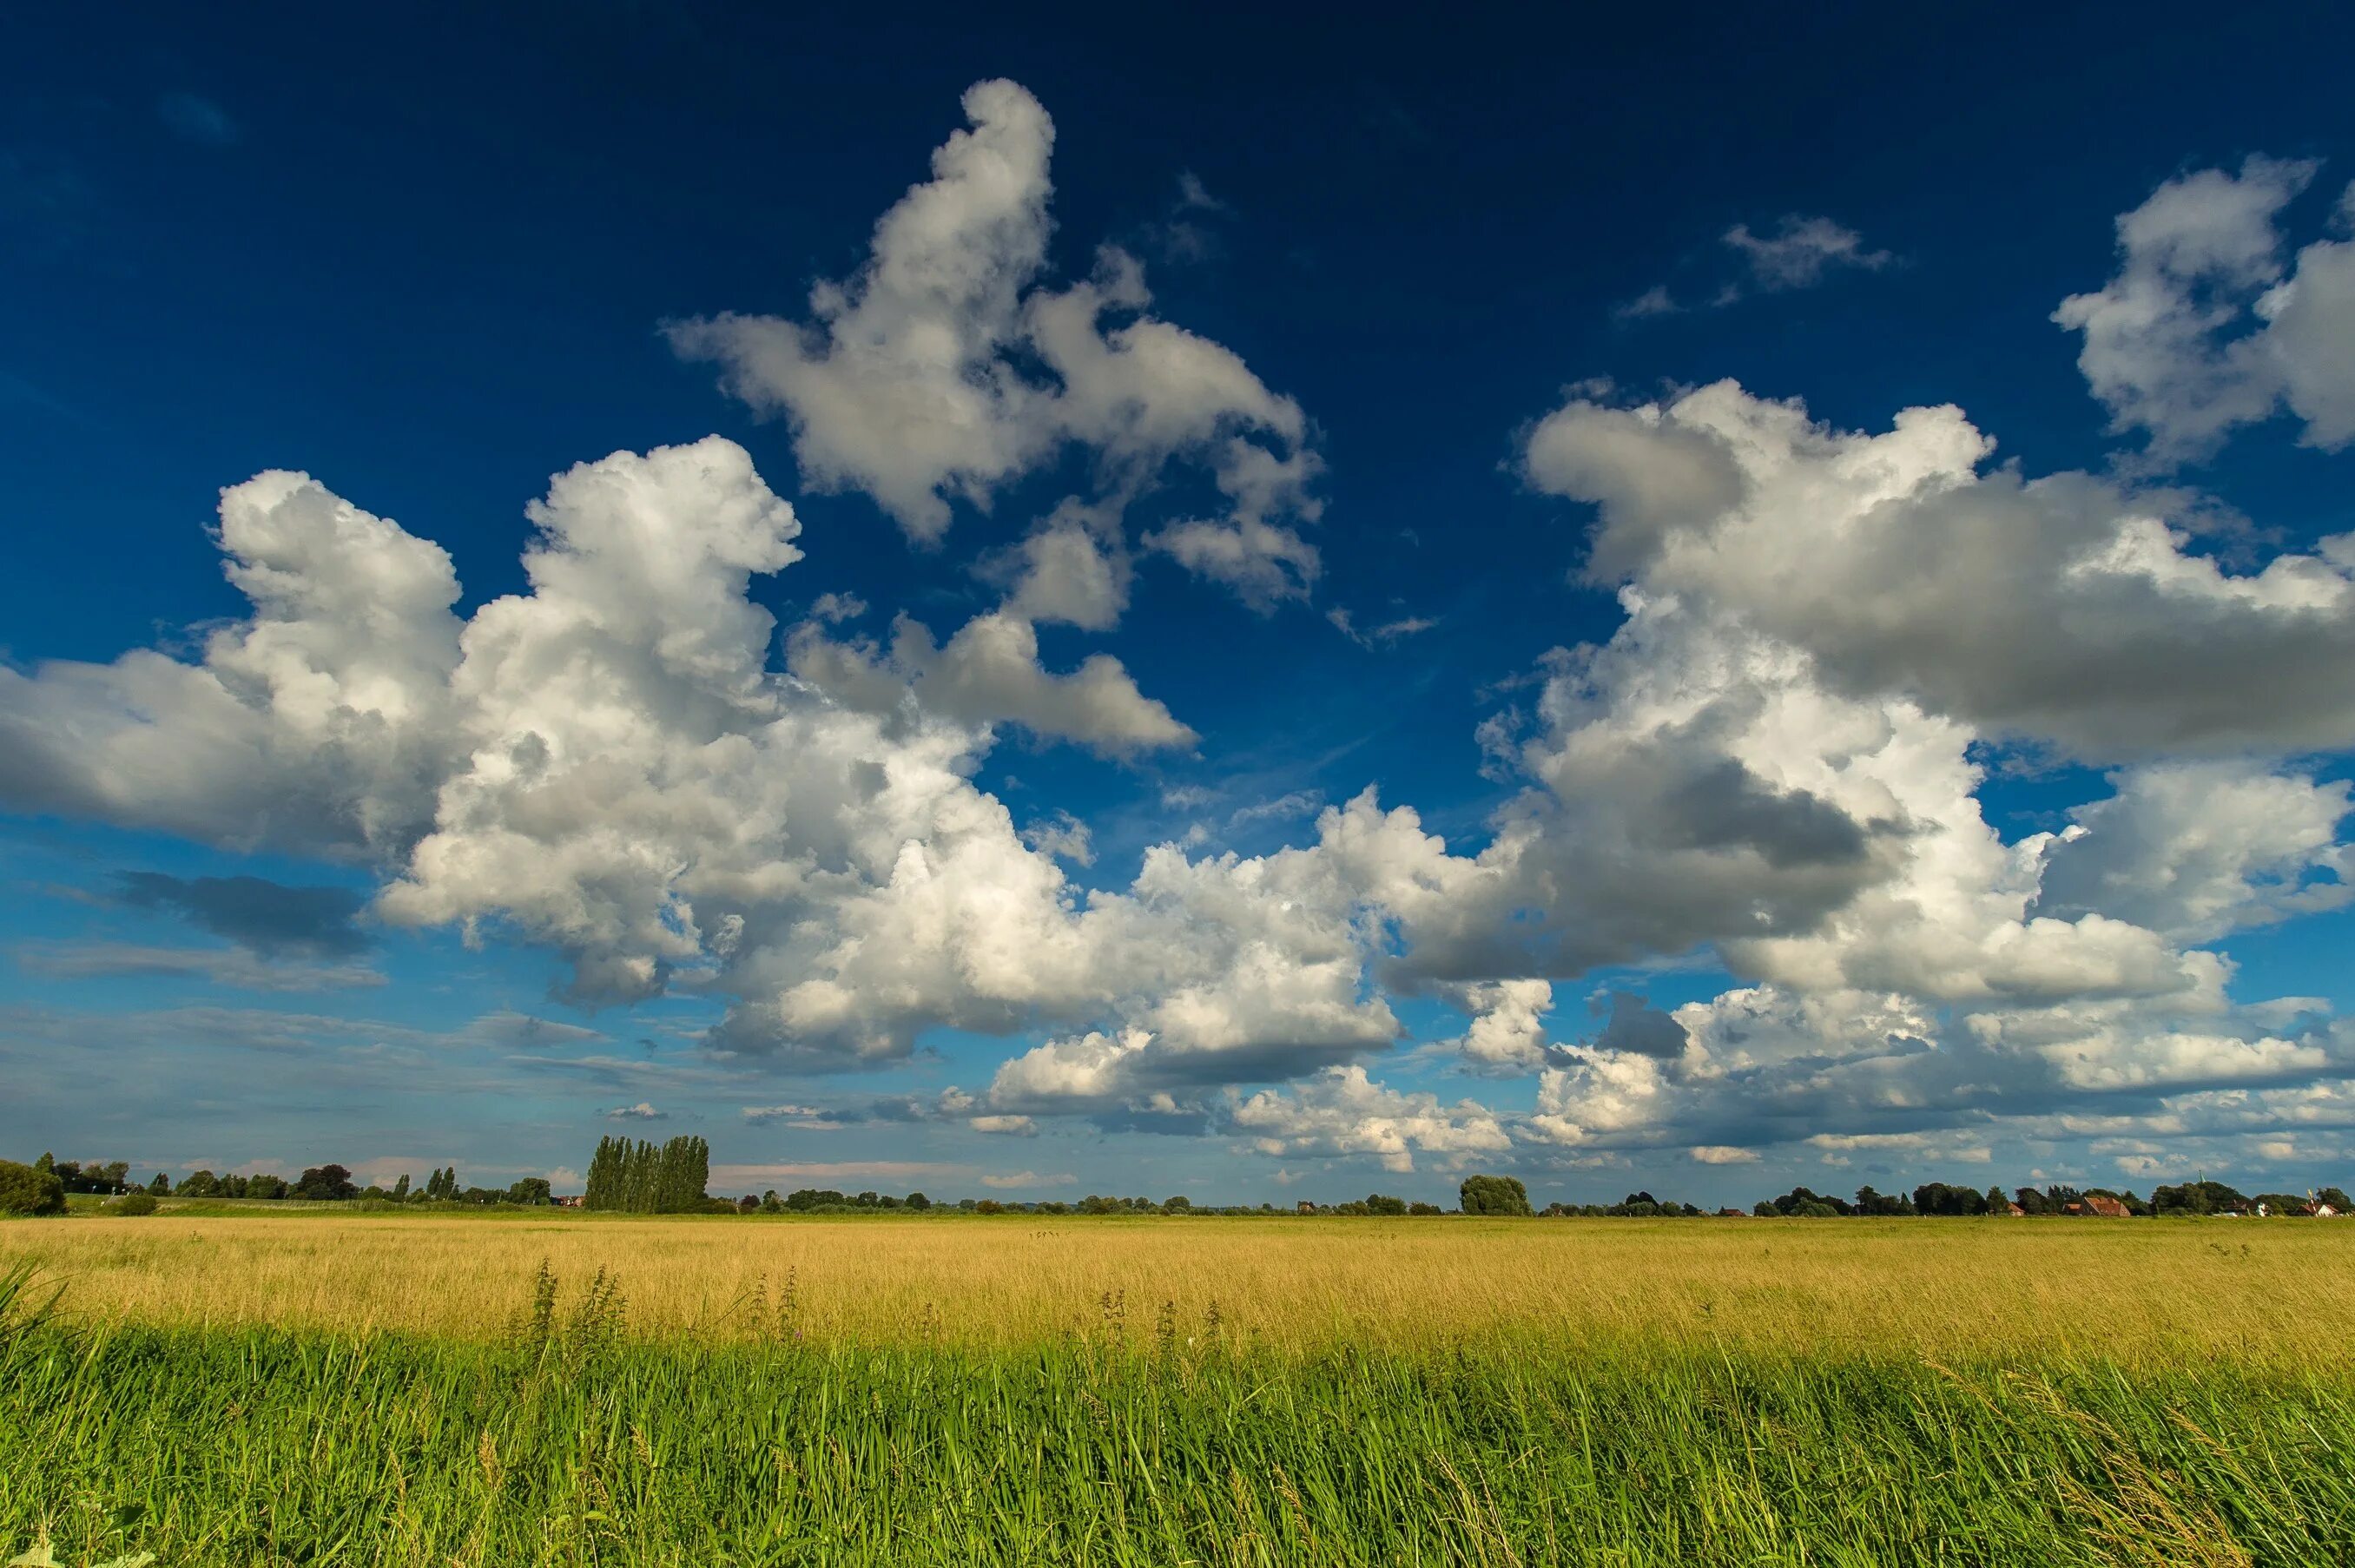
(569, 1442)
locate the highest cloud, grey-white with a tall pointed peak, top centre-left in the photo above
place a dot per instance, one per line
(948, 368)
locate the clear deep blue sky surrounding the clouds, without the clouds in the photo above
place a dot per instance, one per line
(423, 255)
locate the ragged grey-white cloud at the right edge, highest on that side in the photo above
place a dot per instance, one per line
(2205, 328)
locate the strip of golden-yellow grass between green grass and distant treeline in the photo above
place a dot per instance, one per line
(1944, 1289)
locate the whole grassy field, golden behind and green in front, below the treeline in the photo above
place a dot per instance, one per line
(409, 1390)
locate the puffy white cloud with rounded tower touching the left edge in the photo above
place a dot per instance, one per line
(312, 726)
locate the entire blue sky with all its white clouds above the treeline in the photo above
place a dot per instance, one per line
(1770, 785)
